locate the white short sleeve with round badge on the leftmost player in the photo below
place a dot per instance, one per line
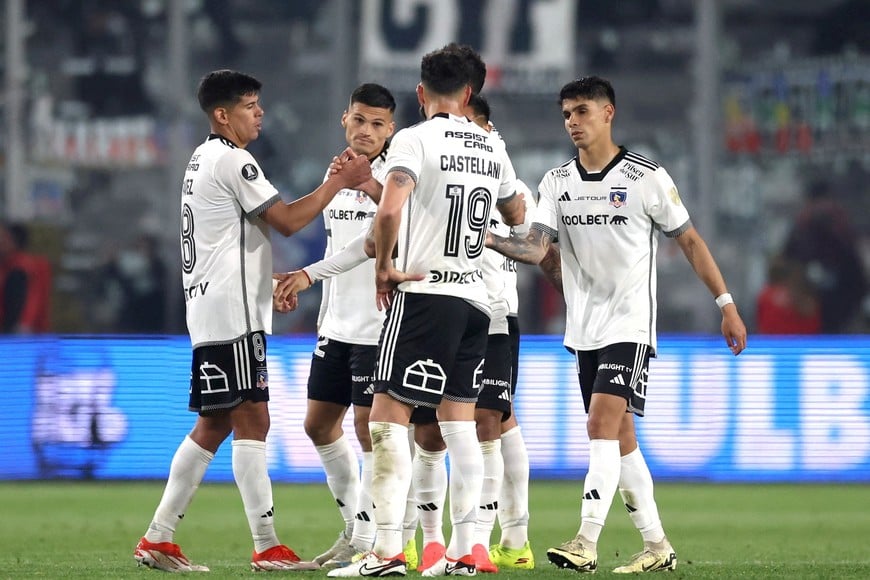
(239, 172)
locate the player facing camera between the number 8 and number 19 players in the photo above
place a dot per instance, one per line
(349, 324)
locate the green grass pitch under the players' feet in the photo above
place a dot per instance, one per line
(88, 530)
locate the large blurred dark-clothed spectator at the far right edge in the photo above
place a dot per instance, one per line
(825, 243)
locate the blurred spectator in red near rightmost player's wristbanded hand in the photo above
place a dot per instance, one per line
(786, 304)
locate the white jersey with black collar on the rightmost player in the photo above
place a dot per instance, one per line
(607, 227)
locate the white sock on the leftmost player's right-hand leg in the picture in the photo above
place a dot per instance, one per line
(252, 479)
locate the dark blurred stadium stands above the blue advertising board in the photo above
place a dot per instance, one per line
(759, 110)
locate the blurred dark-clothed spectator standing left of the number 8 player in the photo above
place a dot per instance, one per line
(135, 281)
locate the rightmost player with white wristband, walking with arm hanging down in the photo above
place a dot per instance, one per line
(605, 207)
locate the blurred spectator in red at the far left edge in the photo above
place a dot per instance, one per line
(25, 284)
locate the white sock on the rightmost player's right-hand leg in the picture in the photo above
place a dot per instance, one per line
(636, 489)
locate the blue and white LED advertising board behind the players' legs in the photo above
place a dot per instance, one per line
(786, 410)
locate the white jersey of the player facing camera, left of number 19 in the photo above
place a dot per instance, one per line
(348, 311)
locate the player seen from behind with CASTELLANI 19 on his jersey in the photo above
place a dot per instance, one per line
(443, 177)
